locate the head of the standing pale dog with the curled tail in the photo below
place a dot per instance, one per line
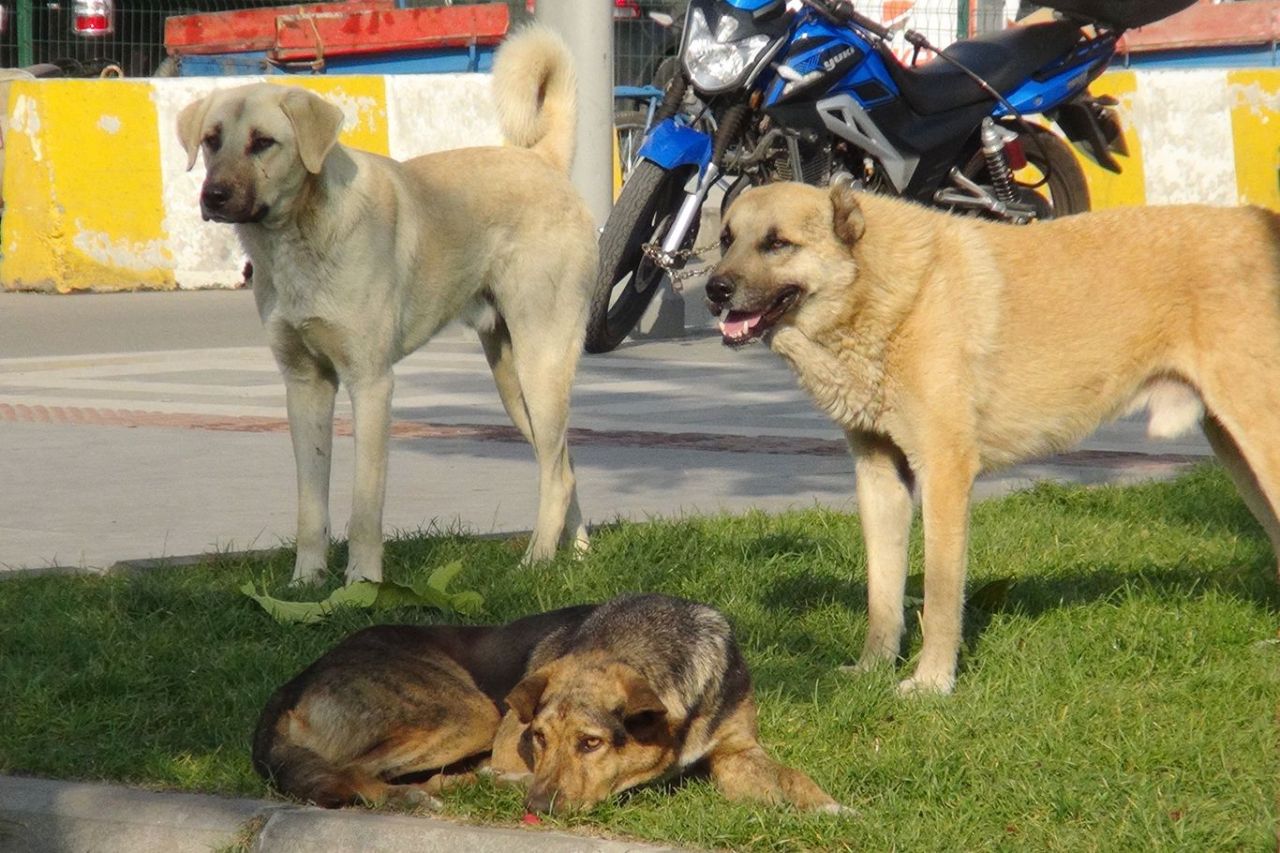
(260, 144)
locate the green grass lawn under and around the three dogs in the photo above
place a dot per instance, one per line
(1122, 696)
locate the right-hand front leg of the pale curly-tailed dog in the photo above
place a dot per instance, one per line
(372, 412)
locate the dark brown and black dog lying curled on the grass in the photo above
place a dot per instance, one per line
(601, 699)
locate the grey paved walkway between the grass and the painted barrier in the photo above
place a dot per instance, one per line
(153, 426)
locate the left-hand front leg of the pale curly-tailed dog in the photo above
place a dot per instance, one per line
(310, 390)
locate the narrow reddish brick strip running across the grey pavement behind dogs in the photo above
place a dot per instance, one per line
(490, 434)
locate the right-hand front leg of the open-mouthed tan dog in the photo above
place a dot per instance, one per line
(947, 489)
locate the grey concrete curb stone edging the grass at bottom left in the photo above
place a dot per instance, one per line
(49, 816)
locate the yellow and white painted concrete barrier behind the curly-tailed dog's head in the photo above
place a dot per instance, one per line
(97, 190)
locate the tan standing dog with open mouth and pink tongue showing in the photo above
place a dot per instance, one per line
(948, 346)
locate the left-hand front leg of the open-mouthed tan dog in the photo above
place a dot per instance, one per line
(886, 508)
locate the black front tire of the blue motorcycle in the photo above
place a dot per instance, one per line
(625, 280)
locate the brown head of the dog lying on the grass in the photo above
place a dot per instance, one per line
(593, 728)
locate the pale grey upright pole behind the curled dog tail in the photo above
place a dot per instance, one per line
(587, 26)
